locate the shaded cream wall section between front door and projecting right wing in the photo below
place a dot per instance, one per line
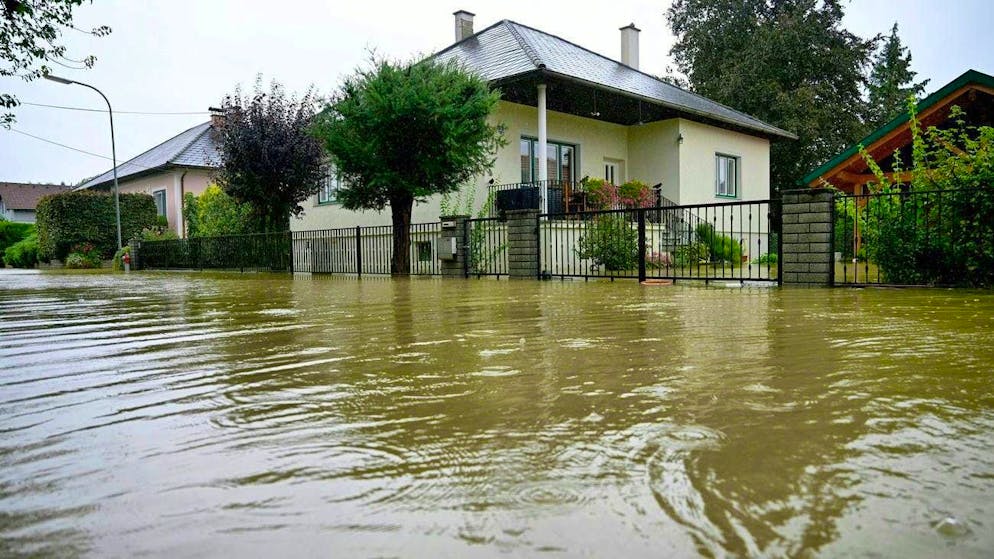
(655, 155)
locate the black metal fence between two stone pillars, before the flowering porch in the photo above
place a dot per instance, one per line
(729, 241)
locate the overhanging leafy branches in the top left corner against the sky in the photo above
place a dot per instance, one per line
(30, 40)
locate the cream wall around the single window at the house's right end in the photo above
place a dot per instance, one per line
(697, 163)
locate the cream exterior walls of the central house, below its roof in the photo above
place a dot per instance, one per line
(650, 153)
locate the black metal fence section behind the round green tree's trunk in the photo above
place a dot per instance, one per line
(365, 250)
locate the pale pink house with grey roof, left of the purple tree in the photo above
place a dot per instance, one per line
(181, 164)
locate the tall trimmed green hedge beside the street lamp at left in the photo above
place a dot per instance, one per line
(70, 218)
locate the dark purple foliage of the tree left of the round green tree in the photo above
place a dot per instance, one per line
(268, 157)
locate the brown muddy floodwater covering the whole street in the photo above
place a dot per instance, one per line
(204, 415)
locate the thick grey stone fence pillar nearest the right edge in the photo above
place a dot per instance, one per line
(806, 237)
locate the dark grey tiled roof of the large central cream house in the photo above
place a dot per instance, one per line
(508, 49)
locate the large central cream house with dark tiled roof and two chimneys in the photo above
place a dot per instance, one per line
(596, 117)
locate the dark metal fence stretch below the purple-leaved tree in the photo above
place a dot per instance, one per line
(259, 252)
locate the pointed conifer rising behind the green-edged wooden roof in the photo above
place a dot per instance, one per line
(892, 81)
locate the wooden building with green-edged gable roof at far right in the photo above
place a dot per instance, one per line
(973, 92)
